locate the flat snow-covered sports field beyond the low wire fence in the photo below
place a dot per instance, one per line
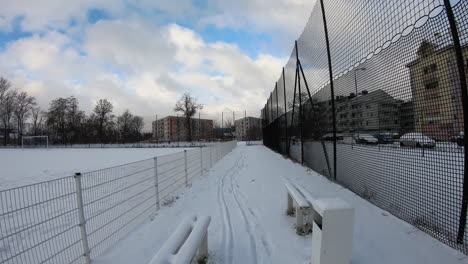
(26, 166)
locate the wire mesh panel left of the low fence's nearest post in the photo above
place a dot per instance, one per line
(39, 224)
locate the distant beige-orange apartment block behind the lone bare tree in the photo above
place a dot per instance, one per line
(172, 128)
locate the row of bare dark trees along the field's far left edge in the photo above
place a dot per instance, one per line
(64, 122)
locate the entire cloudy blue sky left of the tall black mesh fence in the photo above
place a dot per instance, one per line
(143, 54)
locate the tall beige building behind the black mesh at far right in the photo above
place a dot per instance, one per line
(436, 91)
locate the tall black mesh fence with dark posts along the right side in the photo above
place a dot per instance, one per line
(374, 97)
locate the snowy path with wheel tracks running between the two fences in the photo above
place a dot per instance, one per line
(245, 196)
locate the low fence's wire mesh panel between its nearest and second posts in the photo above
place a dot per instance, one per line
(115, 200)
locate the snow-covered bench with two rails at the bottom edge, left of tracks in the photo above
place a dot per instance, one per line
(191, 236)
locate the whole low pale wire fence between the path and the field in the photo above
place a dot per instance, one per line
(74, 219)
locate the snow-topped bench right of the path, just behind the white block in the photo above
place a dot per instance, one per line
(296, 201)
